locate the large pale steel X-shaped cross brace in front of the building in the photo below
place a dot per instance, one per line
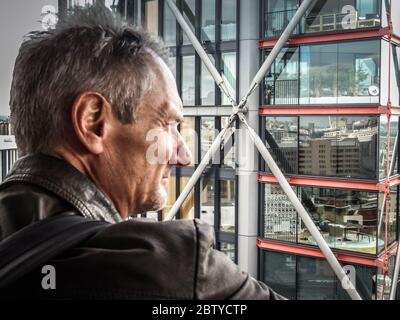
(239, 113)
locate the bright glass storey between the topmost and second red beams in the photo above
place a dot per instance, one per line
(324, 74)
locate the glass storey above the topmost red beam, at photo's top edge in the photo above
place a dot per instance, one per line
(324, 16)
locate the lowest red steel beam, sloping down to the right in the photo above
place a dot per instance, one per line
(315, 252)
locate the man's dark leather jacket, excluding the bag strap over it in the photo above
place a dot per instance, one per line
(132, 259)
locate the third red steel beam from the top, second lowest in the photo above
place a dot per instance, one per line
(324, 182)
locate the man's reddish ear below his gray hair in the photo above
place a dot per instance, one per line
(90, 112)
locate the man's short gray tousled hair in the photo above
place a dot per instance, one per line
(90, 50)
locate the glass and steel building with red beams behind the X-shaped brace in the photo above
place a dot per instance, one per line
(328, 110)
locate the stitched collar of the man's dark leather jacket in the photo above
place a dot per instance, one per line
(61, 178)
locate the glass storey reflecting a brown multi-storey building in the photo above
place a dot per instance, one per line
(336, 146)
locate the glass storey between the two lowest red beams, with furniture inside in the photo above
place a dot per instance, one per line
(347, 219)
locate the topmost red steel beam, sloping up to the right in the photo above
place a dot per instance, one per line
(337, 36)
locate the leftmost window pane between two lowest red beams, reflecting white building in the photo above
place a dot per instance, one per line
(280, 217)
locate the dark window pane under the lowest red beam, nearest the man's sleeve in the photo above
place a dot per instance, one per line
(280, 273)
